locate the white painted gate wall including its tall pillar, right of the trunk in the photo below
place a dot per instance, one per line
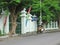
(30, 26)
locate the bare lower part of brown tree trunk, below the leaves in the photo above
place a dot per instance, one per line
(13, 24)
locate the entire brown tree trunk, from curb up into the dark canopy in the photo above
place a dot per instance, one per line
(13, 21)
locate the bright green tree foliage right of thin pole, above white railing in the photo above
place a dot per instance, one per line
(50, 9)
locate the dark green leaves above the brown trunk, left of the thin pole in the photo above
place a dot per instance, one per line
(19, 4)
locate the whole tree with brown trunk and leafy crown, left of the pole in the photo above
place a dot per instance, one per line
(15, 6)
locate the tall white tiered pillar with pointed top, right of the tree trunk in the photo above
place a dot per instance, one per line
(23, 21)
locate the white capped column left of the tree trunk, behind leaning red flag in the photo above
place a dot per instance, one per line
(6, 29)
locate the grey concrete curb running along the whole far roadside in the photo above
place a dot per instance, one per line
(29, 34)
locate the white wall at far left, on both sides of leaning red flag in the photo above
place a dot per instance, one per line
(7, 24)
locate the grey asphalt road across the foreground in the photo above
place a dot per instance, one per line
(40, 39)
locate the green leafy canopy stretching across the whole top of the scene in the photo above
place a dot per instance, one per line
(50, 8)
